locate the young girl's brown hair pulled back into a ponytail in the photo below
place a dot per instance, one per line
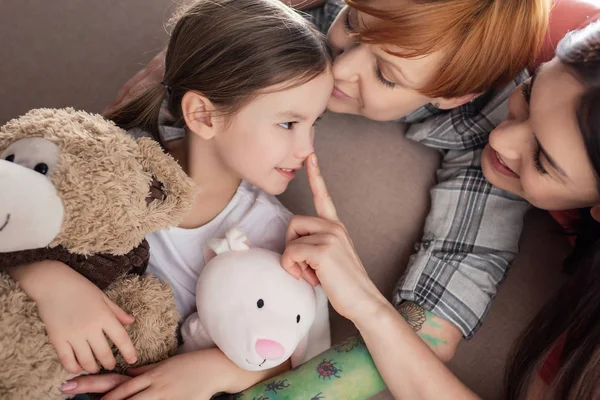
(230, 51)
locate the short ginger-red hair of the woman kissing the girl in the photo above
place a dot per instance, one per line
(485, 42)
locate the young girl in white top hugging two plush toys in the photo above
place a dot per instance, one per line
(246, 81)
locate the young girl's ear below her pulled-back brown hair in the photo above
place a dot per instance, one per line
(197, 113)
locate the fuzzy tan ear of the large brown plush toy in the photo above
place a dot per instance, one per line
(170, 190)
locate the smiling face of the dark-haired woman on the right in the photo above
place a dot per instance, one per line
(538, 153)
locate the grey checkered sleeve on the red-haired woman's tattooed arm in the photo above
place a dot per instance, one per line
(471, 235)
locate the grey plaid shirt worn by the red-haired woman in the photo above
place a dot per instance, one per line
(472, 231)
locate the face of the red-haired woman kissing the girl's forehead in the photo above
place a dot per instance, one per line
(371, 82)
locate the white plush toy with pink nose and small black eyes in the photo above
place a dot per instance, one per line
(254, 311)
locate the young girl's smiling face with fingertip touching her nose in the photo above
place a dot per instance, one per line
(269, 139)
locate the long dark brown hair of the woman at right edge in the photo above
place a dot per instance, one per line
(573, 315)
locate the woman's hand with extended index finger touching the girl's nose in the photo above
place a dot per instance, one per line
(321, 245)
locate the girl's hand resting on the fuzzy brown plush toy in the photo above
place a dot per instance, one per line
(77, 316)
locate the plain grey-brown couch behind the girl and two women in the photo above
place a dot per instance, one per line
(78, 53)
